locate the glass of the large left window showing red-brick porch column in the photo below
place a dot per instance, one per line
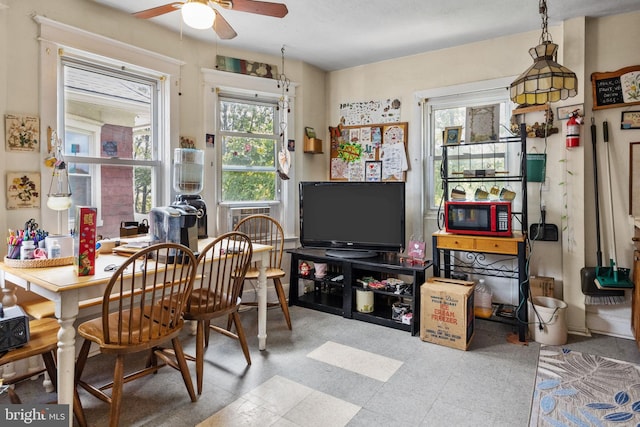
(110, 140)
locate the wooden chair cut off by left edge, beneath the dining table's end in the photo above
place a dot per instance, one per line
(43, 341)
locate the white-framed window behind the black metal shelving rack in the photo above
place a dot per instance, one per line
(450, 110)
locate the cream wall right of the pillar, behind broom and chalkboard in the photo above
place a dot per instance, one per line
(611, 44)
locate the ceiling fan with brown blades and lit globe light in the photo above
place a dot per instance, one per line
(202, 14)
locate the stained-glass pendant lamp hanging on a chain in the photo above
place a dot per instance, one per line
(545, 81)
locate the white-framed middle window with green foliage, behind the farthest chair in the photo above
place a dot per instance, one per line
(247, 153)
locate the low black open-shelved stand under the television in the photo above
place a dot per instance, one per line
(337, 291)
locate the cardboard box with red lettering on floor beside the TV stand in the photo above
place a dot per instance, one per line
(446, 312)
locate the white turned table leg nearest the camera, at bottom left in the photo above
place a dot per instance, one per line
(67, 313)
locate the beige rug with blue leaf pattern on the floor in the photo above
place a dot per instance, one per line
(578, 389)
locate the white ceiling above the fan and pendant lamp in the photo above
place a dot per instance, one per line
(337, 34)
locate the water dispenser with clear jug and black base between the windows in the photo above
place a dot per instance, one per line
(188, 179)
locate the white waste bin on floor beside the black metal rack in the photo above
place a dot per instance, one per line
(549, 325)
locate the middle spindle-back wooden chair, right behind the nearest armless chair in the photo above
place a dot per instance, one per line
(219, 292)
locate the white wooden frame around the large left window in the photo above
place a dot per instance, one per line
(56, 38)
